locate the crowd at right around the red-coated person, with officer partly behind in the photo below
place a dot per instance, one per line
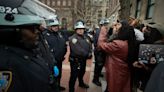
(119, 44)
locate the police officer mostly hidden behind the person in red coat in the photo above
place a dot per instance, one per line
(99, 55)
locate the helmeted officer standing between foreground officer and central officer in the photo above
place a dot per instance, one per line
(57, 44)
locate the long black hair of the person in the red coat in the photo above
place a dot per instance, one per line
(126, 32)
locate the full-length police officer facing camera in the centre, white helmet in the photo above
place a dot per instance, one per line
(80, 50)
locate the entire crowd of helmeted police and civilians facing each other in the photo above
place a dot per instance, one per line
(31, 55)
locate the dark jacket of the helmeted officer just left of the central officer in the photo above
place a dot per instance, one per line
(57, 44)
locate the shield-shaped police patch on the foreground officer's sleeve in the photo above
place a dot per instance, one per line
(5, 80)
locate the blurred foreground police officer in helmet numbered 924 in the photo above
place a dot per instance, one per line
(21, 70)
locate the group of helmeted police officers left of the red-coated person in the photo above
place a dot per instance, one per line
(32, 53)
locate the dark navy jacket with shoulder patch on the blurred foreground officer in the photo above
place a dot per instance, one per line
(23, 71)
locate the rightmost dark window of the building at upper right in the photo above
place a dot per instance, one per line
(150, 9)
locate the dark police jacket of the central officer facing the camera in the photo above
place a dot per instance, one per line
(80, 46)
